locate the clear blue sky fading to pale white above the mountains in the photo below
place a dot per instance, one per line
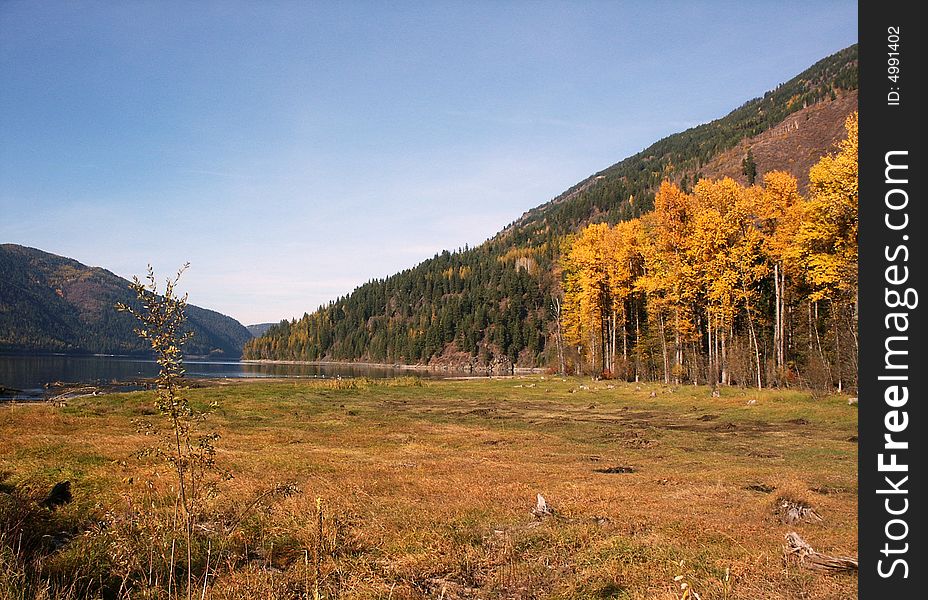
(292, 151)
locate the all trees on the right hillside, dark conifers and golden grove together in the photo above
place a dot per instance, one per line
(647, 270)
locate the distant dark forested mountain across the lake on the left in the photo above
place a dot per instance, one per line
(56, 304)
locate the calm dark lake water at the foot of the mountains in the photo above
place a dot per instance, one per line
(27, 375)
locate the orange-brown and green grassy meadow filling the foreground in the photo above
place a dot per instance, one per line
(427, 489)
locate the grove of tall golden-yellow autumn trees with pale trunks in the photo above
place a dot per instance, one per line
(725, 284)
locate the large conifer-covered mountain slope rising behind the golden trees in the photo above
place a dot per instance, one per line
(494, 305)
